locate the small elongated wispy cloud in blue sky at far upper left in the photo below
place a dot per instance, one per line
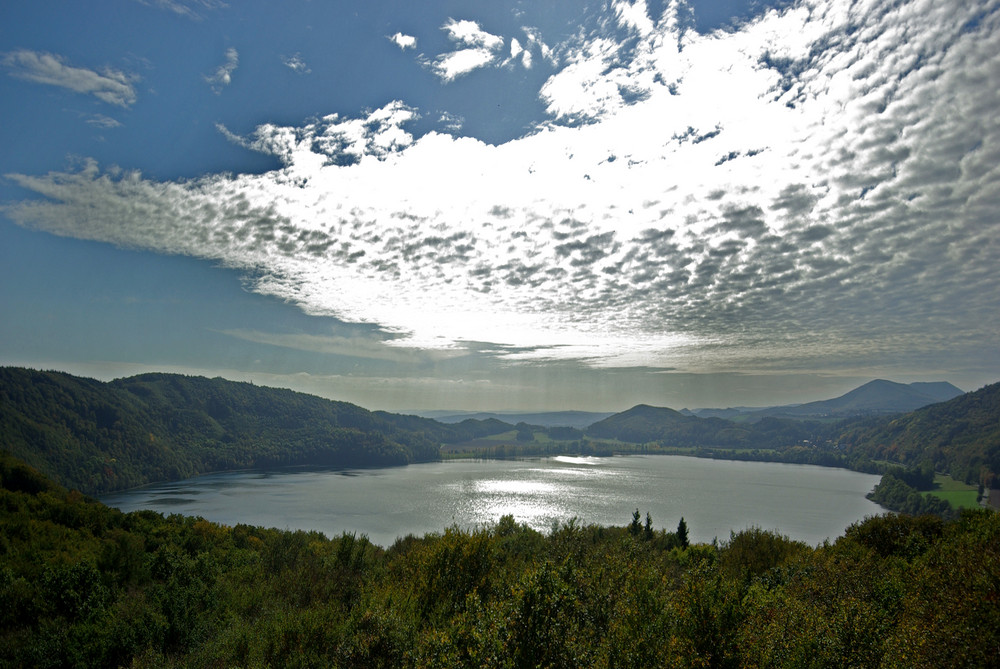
(110, 86)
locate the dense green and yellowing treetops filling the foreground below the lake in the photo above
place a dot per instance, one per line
(85, 585)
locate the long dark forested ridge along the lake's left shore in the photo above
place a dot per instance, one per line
(99, 437)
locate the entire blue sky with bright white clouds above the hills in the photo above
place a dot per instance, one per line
(504, 205)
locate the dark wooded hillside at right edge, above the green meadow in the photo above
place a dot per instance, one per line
(960, 436)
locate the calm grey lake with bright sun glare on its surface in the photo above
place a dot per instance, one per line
(714, 496)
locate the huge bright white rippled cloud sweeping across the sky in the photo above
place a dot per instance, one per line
(854, 218)
